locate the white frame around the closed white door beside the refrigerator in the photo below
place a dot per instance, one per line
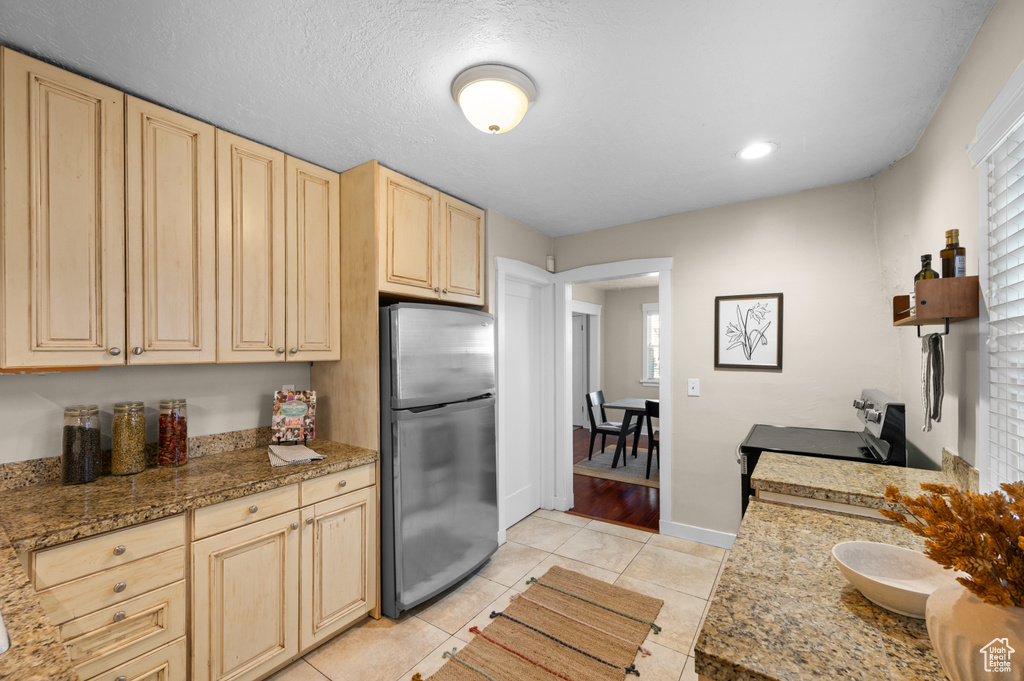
(505, 270)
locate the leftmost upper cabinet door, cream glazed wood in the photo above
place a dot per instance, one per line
(63, 235)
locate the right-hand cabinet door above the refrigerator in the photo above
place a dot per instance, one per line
(462, 239)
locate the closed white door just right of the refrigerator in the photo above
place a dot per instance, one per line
(522, 435)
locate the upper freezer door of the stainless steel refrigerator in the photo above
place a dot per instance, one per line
(440, 355)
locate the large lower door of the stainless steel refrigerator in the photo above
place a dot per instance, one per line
(443, 502)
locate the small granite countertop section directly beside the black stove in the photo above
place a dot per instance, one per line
(842, 482)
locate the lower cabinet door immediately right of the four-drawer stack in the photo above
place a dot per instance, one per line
(245, 601)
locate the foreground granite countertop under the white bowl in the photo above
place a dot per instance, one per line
(784, 611)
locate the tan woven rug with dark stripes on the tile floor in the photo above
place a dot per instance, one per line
(559, 636)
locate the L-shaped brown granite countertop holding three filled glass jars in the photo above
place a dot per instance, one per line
(45, 516)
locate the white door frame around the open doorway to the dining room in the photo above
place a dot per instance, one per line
(564, 371)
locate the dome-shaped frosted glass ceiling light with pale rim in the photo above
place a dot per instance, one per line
(494, 98)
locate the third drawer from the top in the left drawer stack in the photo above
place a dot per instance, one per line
(120, 633)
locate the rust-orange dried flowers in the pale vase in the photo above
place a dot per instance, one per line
(979, 535)
